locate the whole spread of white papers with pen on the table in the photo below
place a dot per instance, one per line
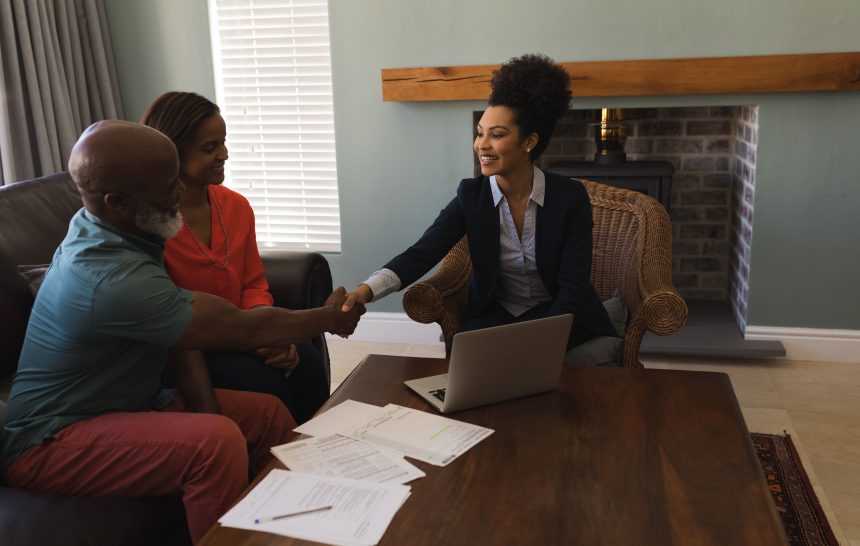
(346, 482)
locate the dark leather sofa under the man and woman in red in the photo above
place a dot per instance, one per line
(34, 218)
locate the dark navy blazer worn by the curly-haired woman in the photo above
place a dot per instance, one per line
(563, 247)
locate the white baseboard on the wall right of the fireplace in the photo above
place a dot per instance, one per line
(813, 344)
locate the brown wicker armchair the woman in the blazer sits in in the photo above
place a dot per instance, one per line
(632, 252)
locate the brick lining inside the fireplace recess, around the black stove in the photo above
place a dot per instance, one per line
(713, 151)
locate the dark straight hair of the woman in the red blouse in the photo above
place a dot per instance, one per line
(178, 114)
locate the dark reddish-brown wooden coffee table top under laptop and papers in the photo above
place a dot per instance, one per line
(614, 456)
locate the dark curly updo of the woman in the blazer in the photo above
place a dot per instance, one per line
(537, 90)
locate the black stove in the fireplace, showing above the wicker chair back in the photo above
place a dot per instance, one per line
(653, 178)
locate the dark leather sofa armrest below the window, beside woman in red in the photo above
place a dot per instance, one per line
(297, 280)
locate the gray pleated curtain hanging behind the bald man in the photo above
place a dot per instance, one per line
(58, 76)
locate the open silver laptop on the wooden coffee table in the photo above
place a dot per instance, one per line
(499, 363)
